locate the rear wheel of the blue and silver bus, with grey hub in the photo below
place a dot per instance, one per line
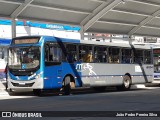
(126, 83)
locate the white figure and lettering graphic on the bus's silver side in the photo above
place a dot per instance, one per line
(85, 67)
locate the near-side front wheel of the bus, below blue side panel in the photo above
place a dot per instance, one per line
(67, 86)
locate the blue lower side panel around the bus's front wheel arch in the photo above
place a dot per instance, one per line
(54, 75)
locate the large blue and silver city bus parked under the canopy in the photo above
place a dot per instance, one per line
(44, 62)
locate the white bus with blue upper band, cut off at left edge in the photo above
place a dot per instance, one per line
(4, 44)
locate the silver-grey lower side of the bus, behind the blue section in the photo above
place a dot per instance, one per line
(99, 74)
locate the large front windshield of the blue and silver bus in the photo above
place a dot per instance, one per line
(24, 57)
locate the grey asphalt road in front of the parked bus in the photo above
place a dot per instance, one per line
(135, 100)
